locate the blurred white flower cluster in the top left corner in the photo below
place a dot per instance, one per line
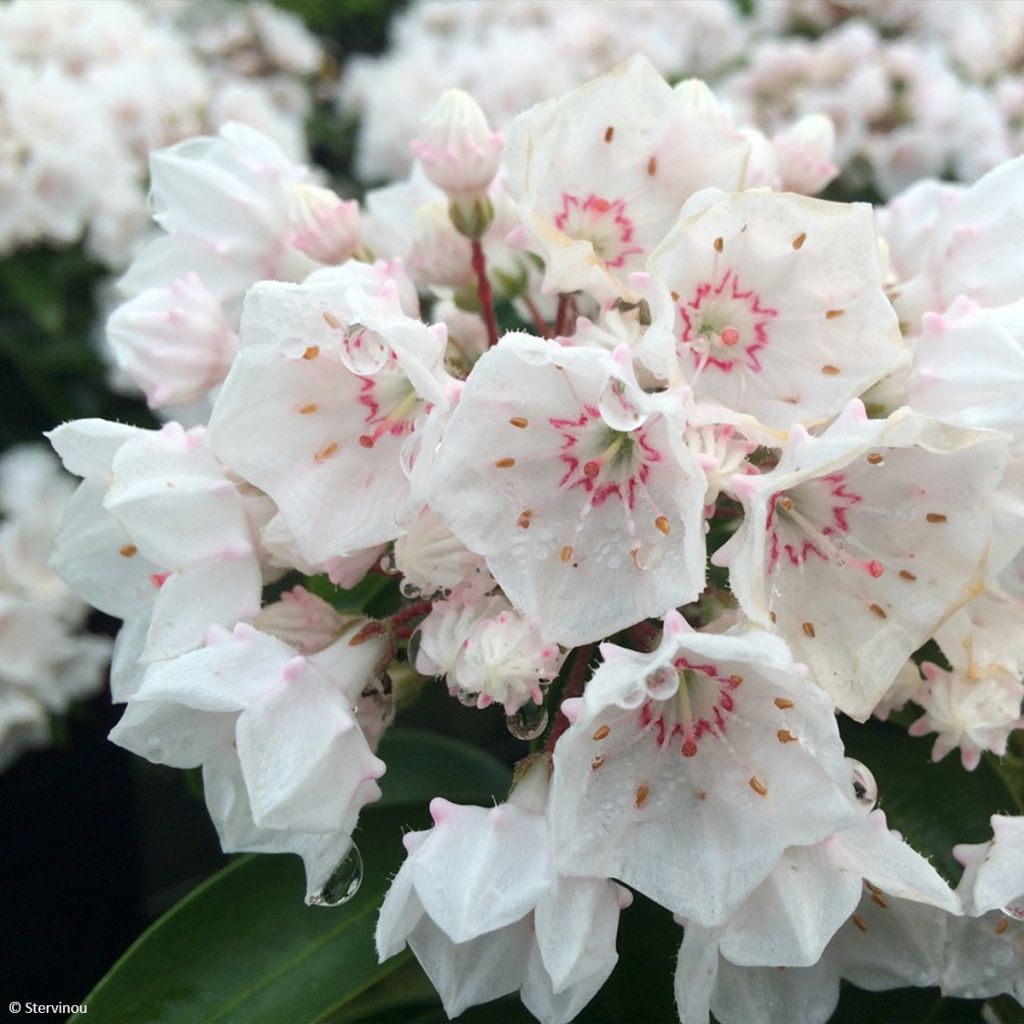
(88, 84)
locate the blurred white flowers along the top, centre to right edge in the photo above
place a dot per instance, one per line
(945, 100)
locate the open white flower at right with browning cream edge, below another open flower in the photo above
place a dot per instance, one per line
(863, 541)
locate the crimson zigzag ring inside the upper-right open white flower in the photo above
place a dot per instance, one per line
(724, 326)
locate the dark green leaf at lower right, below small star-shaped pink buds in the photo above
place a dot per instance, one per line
(934, 805)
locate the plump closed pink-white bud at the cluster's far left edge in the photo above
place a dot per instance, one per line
(175, 343)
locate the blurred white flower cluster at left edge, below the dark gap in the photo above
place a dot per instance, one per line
(46, 661)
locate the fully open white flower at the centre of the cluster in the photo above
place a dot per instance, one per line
(575, 487)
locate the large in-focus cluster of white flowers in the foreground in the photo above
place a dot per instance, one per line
(697, 371)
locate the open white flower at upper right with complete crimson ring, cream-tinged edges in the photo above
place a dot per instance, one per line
(780, 311)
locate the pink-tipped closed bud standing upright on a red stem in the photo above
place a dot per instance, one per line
(459, 152)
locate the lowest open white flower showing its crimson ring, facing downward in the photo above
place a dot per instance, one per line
(713, 748)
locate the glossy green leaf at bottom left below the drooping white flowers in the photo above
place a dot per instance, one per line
(244, 948)
